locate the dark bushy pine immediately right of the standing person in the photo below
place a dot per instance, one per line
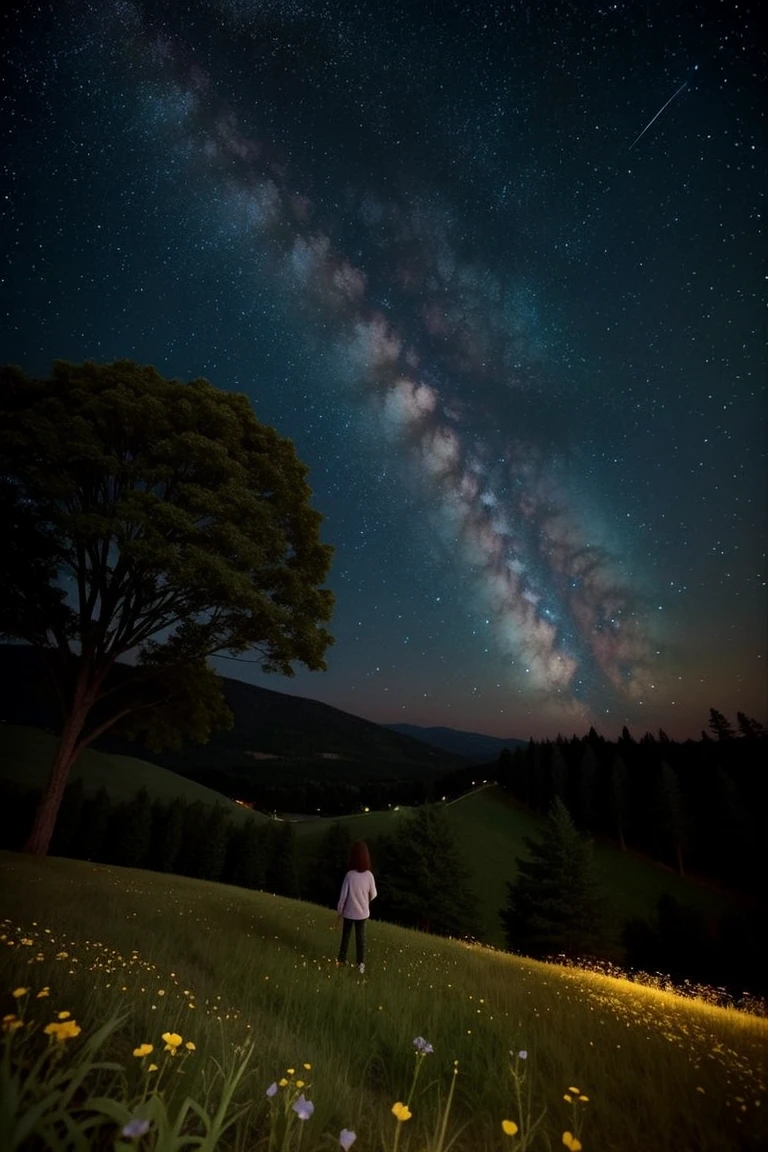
(422, 878)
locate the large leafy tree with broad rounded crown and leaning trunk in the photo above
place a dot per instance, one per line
(155, 521)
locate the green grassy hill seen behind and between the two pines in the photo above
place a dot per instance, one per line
(491, 830)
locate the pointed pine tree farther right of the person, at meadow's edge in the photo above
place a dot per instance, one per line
(554, 905)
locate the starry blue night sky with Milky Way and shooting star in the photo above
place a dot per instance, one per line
(510, 310)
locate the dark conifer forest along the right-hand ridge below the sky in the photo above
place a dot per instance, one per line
(696, 806)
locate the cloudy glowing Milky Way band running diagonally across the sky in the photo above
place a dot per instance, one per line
(443, 358)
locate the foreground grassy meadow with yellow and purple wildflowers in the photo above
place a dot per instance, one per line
(245, 989)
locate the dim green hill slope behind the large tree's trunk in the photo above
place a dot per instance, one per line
(26, 756)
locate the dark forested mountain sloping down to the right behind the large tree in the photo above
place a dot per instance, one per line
(273, 732)
